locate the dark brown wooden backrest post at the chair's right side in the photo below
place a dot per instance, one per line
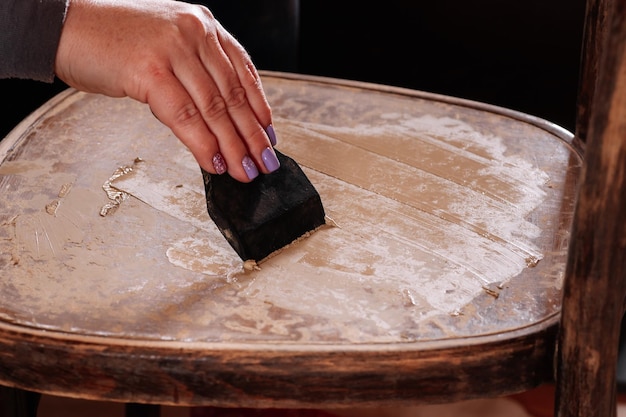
(595, 280)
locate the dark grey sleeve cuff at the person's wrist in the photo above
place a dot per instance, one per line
(29, 37)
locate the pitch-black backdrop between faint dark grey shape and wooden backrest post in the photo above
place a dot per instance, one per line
(523, 55)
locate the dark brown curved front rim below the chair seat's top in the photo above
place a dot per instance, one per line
(290, 378)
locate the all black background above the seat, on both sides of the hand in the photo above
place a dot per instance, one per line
(522, 55)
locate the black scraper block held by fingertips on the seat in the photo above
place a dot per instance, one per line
(262, 216)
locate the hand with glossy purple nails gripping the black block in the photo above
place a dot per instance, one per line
(196, 78)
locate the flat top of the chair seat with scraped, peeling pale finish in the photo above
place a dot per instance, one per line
(448, 217)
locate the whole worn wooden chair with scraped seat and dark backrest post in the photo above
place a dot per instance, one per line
(413, 299)
